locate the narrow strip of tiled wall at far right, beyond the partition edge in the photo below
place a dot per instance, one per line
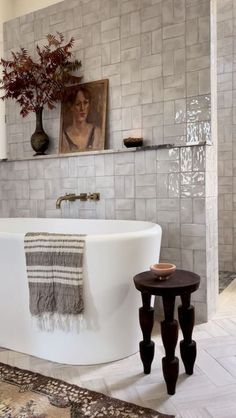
(226, 133)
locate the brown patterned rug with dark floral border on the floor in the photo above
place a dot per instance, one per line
(24, 394)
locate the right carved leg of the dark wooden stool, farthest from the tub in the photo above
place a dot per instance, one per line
(187, 345)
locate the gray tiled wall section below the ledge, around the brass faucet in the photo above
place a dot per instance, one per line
(154, 185)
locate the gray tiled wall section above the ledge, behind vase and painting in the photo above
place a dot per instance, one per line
(155, 53)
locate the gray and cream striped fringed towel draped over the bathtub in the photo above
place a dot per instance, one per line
(54, 268)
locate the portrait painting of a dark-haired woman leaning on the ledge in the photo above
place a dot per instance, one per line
(83, 117)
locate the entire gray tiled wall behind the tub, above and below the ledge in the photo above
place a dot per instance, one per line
(156, 55)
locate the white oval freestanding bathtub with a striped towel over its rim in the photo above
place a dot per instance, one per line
(109, 330)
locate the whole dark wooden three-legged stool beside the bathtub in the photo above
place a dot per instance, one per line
(181, 283)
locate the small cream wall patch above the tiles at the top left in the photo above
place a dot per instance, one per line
(21, 7)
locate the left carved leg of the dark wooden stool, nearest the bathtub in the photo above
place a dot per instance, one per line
(146, 320)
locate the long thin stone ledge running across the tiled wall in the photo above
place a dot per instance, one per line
(109, 151)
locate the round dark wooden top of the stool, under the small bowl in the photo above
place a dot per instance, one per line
(181, 281)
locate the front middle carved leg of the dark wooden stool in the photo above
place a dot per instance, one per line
(169, 333)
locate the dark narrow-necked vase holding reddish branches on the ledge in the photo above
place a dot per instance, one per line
(39, 139)
